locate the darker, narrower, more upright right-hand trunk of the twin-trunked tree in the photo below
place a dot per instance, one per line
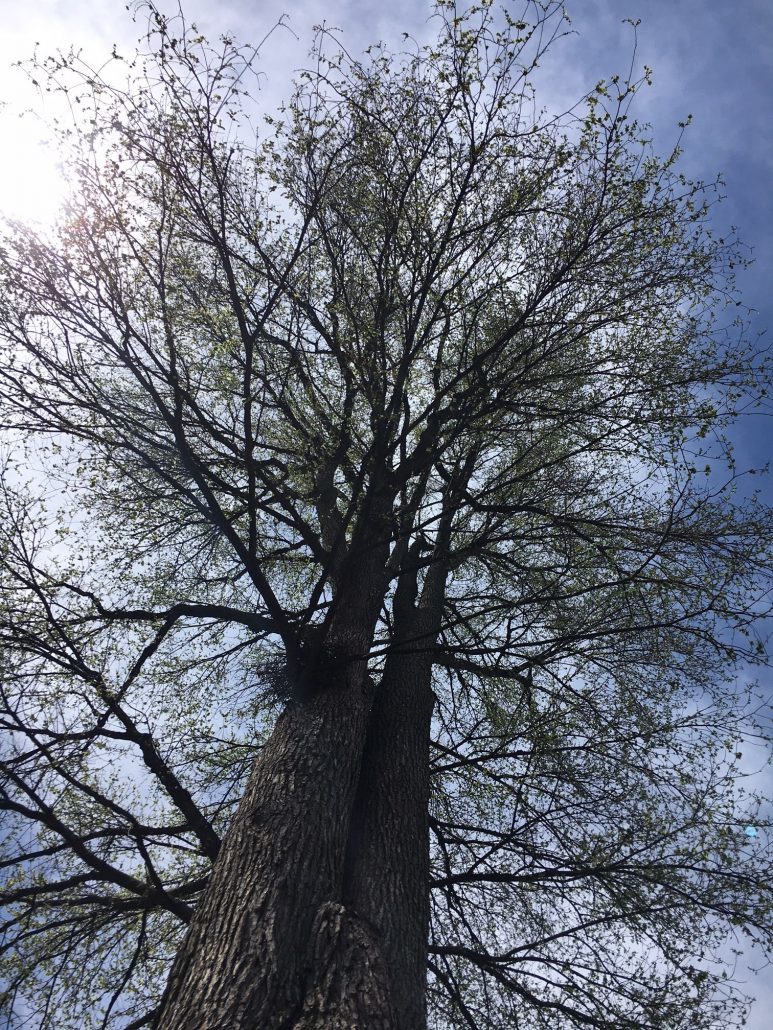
(388, 869)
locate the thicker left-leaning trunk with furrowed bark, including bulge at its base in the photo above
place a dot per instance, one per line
(271, 947)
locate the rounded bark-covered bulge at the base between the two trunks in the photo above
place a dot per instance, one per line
(348, 987)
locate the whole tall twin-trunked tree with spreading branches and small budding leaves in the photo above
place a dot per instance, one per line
(375, 614)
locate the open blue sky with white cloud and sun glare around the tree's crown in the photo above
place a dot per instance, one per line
(711, 59)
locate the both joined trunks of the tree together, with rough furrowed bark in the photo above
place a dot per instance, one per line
(307, 925)
